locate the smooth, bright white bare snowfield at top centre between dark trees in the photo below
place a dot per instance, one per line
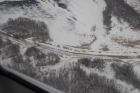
(73, 26)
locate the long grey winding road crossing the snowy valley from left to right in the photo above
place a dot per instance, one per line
(68, 52)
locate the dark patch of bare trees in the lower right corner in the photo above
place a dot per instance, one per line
(126, 73)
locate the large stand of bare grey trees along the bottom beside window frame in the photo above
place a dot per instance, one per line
(72, 80)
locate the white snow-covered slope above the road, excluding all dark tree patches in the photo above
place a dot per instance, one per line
(79, 24)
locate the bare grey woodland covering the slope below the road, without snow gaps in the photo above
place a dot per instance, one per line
(72, 79)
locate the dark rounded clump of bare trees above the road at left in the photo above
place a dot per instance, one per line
(25, 27)
